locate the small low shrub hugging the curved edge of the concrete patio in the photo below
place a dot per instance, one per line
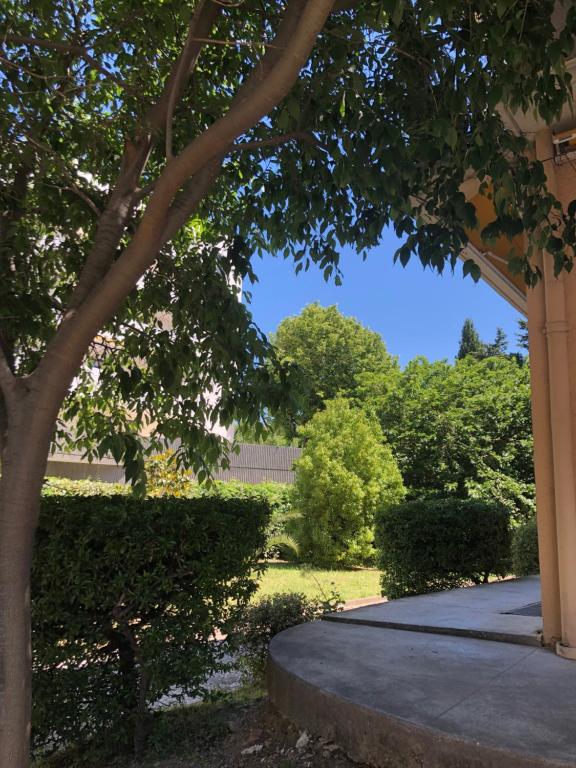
(269, 616)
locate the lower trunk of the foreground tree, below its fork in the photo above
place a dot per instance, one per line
(23, 467)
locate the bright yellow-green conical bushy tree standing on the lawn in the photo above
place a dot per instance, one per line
(345, 474)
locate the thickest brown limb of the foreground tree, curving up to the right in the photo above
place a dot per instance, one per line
(66, 350)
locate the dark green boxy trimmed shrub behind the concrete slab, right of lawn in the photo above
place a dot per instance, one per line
(427, 546)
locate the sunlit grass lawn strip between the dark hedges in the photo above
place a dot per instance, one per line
(286, 577)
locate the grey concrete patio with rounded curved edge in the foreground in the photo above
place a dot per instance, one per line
(395, 697)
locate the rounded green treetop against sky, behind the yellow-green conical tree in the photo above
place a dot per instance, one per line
(331, 353)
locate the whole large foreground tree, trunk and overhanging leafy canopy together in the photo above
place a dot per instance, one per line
(149, 147)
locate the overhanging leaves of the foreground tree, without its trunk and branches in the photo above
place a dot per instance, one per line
(387, 120)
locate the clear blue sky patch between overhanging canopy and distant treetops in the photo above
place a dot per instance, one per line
(416, 311)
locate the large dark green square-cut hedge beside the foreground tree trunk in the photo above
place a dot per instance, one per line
(126, 596)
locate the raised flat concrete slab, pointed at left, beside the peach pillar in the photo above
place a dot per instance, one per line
(482, 612)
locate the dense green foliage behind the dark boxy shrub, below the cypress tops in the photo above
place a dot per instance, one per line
(451, 426)
